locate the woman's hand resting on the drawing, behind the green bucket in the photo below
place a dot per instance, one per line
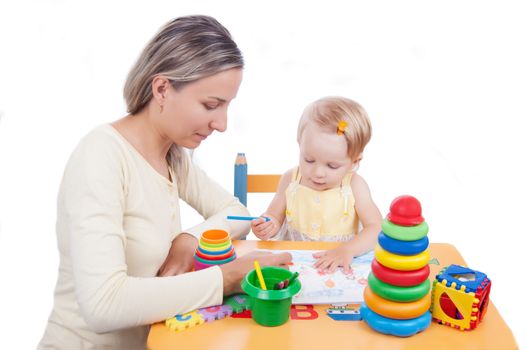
(236, 270)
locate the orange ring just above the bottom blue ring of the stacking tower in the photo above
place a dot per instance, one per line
(392, 309)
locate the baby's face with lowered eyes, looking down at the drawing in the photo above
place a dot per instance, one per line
(324, 160)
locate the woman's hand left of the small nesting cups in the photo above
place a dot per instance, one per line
(180, 258)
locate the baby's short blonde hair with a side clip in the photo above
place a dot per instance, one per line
(327, 113)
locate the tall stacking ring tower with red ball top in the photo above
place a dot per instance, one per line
(397, 297)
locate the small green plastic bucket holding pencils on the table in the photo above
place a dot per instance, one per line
(270, 307)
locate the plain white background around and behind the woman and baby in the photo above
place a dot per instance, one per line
(444, 84)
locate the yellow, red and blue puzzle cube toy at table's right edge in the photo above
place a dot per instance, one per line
(460, 297)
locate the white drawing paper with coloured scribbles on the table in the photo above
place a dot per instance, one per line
(325, 288)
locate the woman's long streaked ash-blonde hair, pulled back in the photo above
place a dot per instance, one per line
(184, 50)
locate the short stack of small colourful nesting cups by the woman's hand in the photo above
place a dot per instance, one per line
(215, 248)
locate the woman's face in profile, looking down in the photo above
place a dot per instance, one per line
(191, 113)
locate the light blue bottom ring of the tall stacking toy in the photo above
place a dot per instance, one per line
(399, 328)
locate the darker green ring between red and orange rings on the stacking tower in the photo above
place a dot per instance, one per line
(395, 293)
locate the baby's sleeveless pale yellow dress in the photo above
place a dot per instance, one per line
(319, 215)
